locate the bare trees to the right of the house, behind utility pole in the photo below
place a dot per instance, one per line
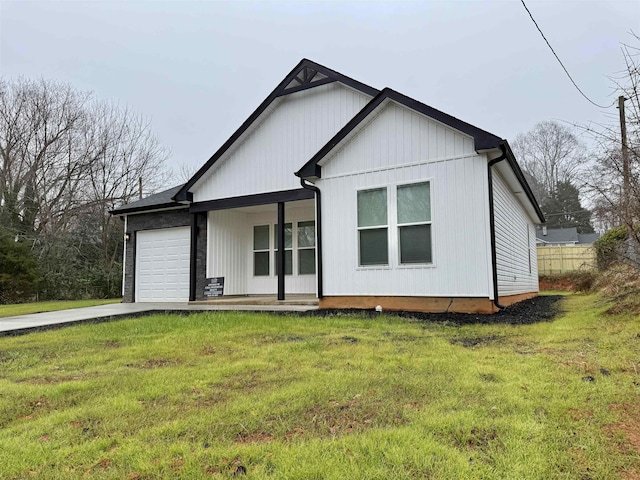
(565, 175)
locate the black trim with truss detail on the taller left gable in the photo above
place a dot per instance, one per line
(303, 74)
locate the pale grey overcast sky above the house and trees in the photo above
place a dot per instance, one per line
(198, 69)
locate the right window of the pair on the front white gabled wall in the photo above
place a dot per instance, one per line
(414, 223)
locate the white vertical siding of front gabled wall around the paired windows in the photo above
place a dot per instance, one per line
(396, 147)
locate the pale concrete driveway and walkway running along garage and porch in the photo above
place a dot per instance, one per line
(39, 321)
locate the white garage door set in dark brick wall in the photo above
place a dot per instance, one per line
(162, 265)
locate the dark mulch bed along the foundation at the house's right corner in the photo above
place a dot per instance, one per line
(538, 309)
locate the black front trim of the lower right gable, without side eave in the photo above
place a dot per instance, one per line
(483, 140)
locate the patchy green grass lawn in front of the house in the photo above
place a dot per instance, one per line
(201, 396)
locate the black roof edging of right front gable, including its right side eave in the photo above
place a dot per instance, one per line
(483, 140)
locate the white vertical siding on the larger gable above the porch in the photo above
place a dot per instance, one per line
(290, 134)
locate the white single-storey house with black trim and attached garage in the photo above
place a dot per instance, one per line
(361, 197)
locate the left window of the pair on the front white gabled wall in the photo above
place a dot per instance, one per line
(372, 227)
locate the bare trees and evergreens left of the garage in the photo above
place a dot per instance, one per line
(66, 159)
